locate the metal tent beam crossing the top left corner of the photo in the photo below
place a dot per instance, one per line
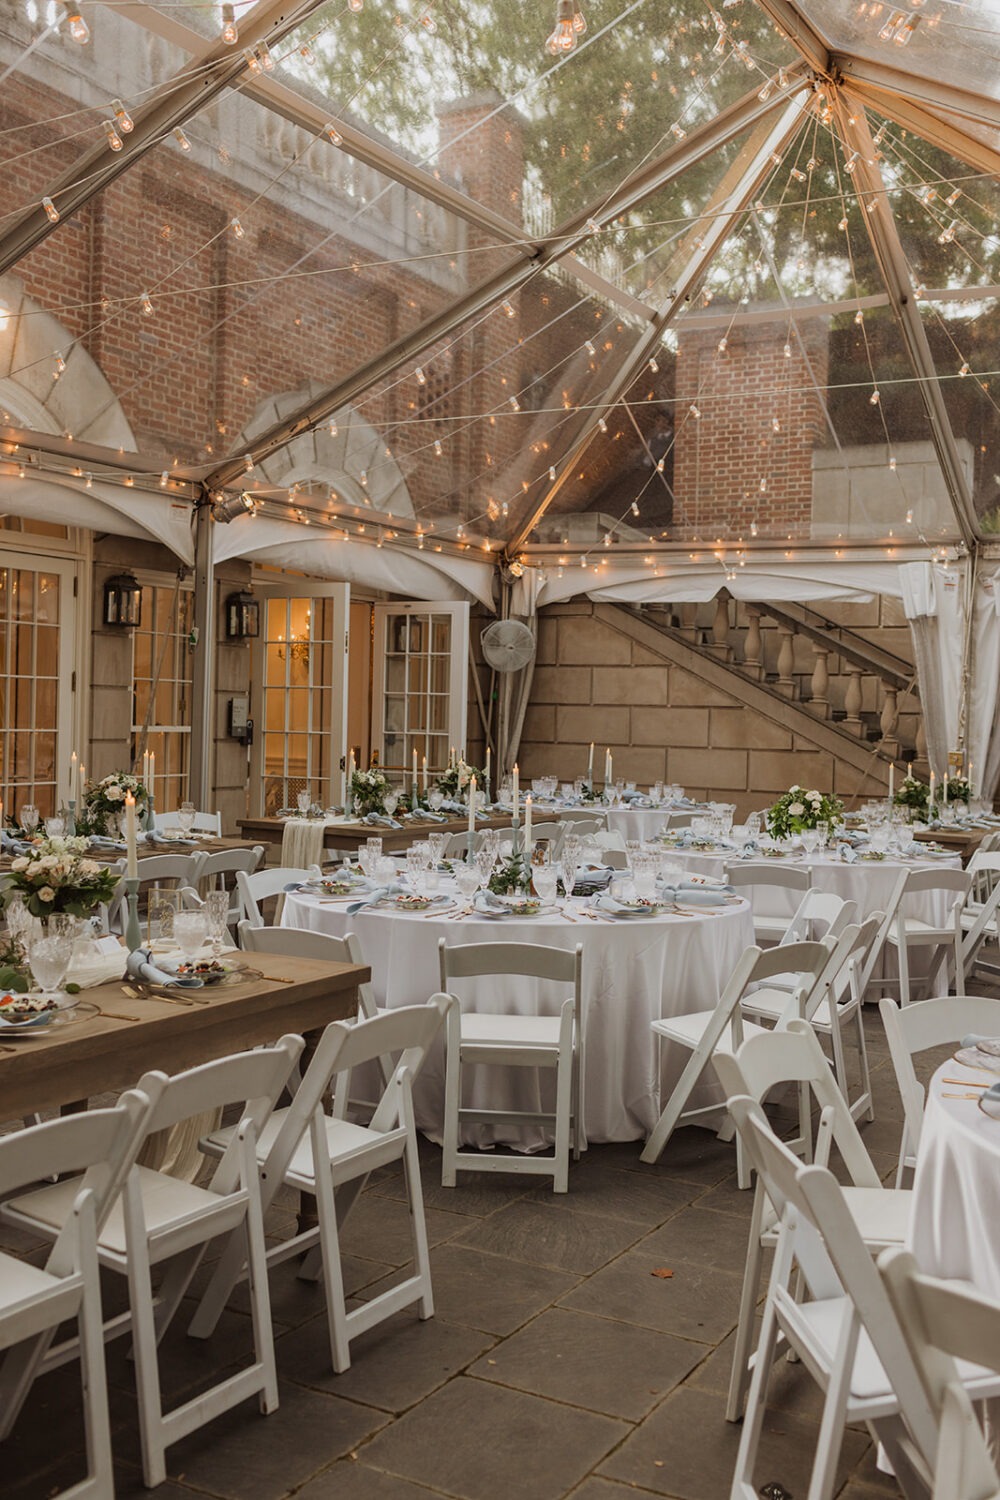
(214, 70)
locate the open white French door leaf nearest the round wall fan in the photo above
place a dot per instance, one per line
(421, 683)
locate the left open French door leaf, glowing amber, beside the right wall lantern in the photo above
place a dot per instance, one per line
(301, 700)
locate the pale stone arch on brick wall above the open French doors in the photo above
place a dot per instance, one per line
(337, 461)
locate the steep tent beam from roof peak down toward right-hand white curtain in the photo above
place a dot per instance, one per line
(903, 301)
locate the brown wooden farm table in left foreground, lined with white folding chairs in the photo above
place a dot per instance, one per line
(100, 1054)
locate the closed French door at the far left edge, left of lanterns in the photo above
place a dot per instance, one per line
(38, 629)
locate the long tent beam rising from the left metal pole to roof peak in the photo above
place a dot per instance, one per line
(530, 260)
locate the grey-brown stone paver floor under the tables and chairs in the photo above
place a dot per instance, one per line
(558, 1364)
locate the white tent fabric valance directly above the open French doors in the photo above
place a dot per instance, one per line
(325, 554)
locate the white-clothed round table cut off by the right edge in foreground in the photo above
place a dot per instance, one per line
(957, 1184)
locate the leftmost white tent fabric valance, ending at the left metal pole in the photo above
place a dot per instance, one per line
(104, 508)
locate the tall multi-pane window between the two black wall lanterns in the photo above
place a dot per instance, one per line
(163, 656)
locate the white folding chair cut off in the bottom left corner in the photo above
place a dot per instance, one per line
(35, 1301)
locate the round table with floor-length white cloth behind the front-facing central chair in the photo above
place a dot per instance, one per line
(635, 973)
